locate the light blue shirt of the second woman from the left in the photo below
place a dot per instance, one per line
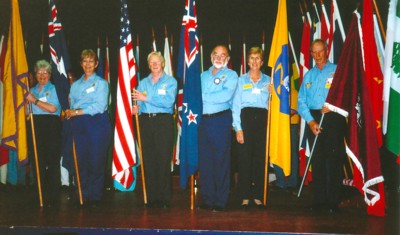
(91, 95)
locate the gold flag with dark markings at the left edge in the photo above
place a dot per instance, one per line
(15, 83)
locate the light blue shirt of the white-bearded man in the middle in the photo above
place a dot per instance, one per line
(218, 90)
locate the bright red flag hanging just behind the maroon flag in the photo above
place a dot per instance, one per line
(373, 71)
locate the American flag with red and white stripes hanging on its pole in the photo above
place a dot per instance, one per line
(124, 155)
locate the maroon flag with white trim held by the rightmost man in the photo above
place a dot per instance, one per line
(350, 97)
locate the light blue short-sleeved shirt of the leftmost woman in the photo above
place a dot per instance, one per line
(48, 95)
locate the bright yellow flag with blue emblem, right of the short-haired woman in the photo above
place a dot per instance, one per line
(280, 108)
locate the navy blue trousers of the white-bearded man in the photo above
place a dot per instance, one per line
(214, 158)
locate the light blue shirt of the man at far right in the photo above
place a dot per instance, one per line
(314, 89)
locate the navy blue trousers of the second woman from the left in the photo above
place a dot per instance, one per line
(92, 136)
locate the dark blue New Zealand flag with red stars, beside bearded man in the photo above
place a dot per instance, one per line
(191, 108)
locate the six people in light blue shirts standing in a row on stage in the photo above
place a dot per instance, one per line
(229, 102)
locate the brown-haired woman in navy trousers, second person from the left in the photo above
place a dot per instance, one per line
(91, 128)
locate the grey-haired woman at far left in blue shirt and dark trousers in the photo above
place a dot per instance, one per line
(46, 111)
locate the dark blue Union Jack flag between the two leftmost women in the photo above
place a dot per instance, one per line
(59, 57)
